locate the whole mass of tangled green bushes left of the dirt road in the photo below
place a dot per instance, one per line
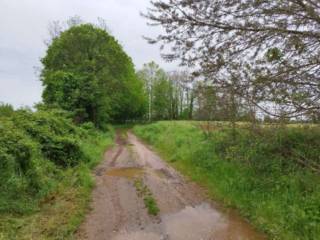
(35, 148)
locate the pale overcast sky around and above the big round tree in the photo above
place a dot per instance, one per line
(24, 28)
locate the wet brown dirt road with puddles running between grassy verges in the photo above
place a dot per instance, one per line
(119, 212)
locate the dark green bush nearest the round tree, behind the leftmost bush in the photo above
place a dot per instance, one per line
(57, 136)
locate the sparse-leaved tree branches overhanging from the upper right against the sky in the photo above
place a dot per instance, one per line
(268, 51)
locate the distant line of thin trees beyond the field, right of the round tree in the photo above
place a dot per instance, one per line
(176, 95)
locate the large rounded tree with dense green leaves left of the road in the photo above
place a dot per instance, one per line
(86, 71)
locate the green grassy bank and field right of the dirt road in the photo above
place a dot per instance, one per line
(269, 174)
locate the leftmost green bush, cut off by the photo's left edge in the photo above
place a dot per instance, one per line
(23, 171)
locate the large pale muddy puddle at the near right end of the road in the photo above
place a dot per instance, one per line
(204, 222)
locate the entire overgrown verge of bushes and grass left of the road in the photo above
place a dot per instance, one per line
(46, 179)
